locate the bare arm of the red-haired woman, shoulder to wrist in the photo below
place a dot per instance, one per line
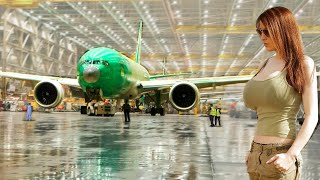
(310, 104)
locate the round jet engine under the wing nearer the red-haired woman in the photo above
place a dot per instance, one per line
(184, 96)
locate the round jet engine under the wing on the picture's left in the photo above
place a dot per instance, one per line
(48, 93)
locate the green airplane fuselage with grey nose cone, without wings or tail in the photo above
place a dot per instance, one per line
(110, 72)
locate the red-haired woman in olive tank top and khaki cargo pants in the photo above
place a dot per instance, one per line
(276, 92)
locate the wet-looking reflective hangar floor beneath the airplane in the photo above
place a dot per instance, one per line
(74, 146)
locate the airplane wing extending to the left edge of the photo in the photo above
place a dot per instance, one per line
(31, 77)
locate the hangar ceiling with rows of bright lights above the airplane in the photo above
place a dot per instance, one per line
(205, 37)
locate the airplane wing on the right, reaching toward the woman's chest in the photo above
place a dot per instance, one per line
(199, 82)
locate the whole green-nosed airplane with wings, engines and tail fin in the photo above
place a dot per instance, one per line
(107, 73)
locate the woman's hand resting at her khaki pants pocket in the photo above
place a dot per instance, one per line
(282, 161)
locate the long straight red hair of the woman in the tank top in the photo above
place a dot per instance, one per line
(285, 34)
